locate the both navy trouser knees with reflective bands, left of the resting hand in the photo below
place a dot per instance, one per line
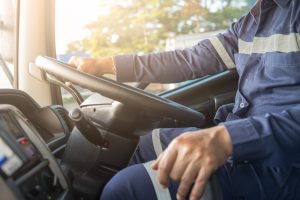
(138, 180)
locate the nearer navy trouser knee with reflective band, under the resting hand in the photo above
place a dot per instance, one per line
(138, 182)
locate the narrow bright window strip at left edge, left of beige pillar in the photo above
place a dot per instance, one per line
(8, 43)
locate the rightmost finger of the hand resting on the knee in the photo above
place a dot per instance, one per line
(200, 182)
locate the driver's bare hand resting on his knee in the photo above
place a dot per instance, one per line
(191, 158)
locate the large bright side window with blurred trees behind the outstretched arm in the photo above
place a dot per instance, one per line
(102, 28)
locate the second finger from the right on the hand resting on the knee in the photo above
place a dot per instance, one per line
(186, 181)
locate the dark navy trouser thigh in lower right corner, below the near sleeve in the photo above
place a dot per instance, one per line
(256, 181)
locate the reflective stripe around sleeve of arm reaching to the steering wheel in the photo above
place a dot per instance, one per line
(217, 44)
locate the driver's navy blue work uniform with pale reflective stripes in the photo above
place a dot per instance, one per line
(264, 121)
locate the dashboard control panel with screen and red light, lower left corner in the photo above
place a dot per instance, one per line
(27, 166)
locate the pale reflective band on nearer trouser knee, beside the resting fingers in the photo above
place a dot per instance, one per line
(161, 193)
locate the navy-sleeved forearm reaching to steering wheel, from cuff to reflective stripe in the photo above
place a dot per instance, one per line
(169, 67)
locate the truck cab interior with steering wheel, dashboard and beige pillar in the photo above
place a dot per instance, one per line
(50, 152)
